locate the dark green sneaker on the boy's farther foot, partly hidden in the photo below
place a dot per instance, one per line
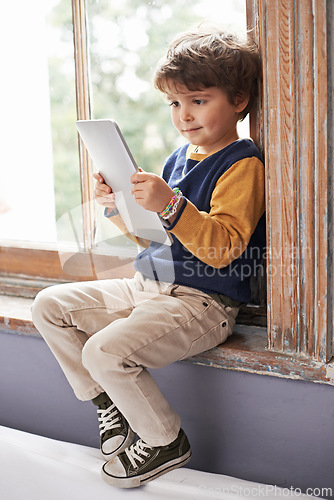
(115, 432)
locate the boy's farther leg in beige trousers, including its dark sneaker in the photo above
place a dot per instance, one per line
(66, 316)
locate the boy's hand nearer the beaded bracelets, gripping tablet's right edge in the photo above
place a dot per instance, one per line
(151, 191)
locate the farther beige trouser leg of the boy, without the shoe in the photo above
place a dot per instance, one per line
(67, 315)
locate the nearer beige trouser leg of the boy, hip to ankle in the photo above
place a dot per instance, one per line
(170, 326)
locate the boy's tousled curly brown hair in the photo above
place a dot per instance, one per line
(203, 58)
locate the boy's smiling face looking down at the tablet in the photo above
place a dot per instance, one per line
(206, 118)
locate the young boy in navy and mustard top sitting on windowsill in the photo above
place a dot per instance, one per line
(107, 334)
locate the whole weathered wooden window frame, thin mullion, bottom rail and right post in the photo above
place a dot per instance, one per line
(293, 126)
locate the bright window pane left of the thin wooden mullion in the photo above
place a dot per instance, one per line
(39, 173)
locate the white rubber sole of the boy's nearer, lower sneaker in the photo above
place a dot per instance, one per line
(135, 481)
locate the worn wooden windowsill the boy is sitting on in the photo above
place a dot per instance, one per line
(246, 350)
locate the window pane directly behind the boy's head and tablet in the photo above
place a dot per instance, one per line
(125, 40)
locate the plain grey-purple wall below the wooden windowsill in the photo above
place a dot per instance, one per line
(254, 427)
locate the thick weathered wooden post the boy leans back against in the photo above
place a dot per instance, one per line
(296, 42)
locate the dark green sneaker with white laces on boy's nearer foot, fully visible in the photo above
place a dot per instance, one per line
(140, 463)
